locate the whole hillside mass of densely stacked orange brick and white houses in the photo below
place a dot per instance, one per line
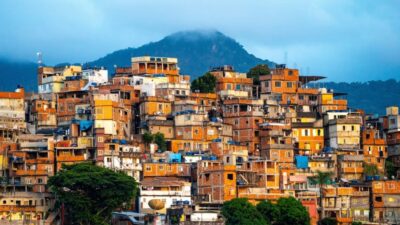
(260, 142)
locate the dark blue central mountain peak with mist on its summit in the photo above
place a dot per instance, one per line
(197, 52)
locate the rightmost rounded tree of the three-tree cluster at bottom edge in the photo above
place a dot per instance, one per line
(291, 211)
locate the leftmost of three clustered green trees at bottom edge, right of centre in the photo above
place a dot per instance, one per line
(239, 211)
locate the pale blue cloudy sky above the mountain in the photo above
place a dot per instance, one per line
(344, 40)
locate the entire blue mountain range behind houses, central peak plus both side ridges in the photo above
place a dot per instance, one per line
(197, 52)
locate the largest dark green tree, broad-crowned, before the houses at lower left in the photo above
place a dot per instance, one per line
(90, 193)
